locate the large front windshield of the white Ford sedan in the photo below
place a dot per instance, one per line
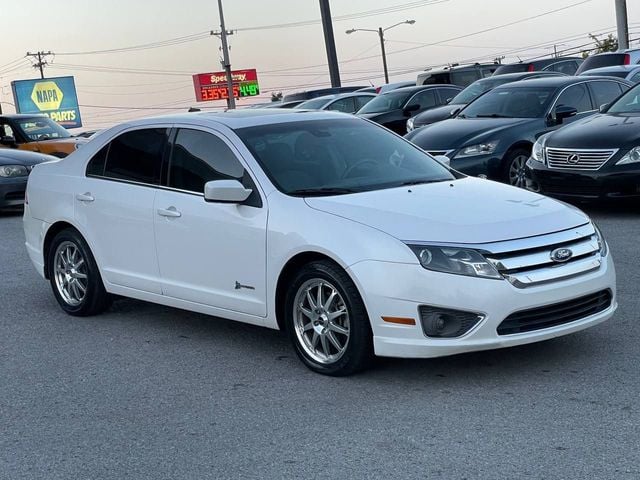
(338, 156)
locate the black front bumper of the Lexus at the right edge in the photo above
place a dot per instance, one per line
(613, 182)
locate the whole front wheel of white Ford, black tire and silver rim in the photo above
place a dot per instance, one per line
(327, 321)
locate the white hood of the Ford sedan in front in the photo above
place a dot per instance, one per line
(465, 211)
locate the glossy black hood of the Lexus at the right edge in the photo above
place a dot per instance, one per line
(599, 131)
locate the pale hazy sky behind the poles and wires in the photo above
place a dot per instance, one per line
(282, 39)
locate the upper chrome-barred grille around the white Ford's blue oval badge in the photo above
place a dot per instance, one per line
(532, 264)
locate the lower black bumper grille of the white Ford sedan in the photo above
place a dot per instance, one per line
(557, 314)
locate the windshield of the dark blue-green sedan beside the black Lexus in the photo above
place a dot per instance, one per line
(511, 102)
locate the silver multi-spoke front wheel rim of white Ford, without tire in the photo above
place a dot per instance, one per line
(321, 321)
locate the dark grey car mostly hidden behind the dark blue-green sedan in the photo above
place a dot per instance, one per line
(468, 95)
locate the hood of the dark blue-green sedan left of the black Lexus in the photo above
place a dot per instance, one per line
(455, 133)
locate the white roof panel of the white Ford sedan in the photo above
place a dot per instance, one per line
(235, 119)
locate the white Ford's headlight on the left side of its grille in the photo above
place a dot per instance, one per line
(459, 261)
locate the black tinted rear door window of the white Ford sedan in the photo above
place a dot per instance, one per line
(137, 155)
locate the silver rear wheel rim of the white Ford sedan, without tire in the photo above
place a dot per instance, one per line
(70, 273)
